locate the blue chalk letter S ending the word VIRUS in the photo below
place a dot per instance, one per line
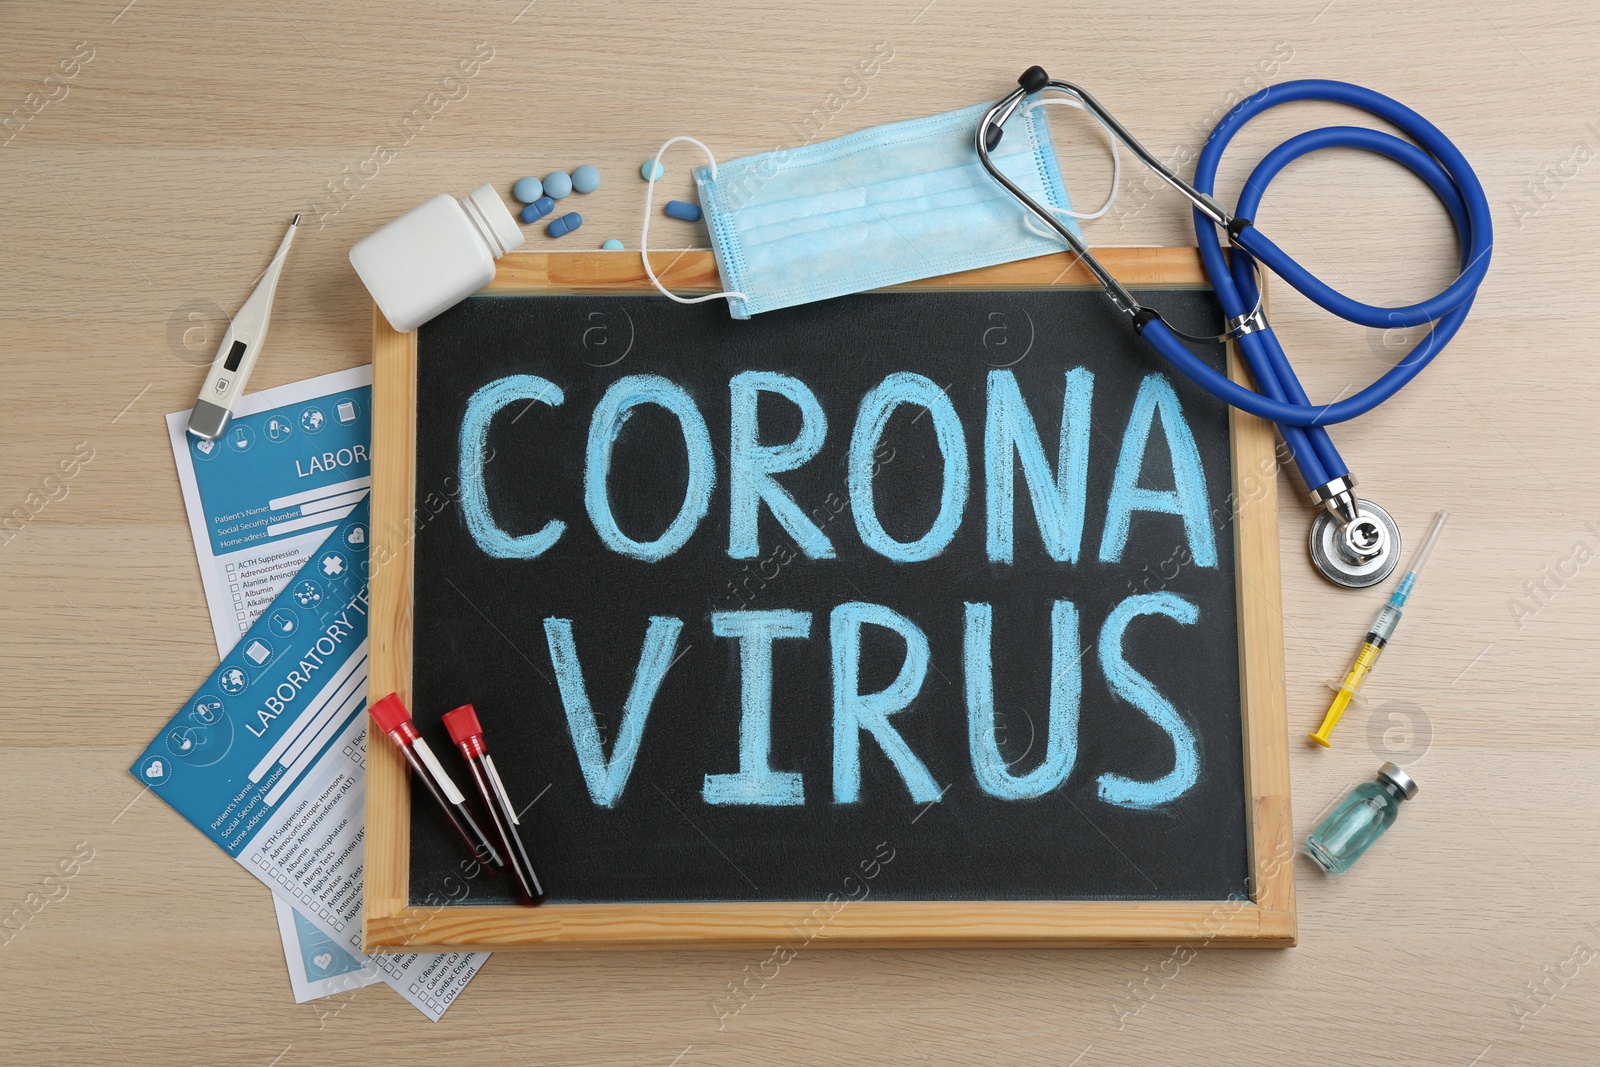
(1137, 690)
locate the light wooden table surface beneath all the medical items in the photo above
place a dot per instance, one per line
(142, 193)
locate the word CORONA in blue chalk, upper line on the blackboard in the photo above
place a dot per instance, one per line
(1058, 497)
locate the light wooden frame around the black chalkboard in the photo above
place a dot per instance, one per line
(394, 925)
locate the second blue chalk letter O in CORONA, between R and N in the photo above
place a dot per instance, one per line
(871, 422)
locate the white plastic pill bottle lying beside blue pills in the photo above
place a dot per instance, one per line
(436, 255)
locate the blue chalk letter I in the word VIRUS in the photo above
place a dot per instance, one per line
(758, 783)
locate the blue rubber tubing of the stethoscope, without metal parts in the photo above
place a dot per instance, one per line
(1281, 396)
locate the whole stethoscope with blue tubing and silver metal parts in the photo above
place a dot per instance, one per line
(1353, 541)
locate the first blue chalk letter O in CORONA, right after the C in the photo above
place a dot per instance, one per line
(604, 428)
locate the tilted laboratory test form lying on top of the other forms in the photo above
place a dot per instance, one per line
(270, 761)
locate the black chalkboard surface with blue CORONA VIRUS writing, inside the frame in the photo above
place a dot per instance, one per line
(924, 596)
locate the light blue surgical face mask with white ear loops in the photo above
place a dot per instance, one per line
(873, 209)
